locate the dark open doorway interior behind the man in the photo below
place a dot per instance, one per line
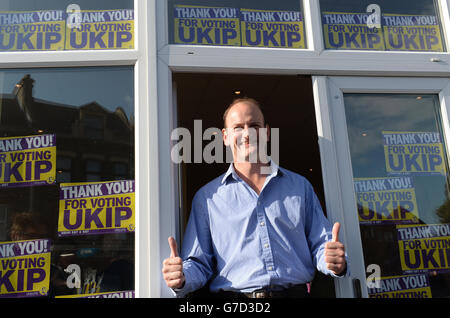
(287, 103)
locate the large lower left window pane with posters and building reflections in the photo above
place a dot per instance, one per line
(66, 221)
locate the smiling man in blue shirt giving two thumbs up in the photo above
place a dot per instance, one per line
(252, 234)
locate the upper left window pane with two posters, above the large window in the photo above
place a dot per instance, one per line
(53, 25)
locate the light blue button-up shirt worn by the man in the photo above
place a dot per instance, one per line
(243, 241)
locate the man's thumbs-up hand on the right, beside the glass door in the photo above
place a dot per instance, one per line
(335, 252)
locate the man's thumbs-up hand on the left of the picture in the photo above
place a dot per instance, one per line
(173, 267)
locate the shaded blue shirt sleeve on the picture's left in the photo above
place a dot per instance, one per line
(197, 252)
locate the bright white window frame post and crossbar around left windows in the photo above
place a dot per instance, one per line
(147, 175)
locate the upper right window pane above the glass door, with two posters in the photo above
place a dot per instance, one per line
(383, 25)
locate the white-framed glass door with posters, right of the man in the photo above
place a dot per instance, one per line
(390, 142)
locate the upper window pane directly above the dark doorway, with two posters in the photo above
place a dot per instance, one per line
(246, 23)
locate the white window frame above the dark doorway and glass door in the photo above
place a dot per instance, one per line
(314, 60)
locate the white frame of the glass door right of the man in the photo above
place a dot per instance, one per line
(336, 160)
